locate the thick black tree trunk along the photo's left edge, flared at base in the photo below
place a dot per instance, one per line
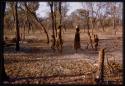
(3, 75)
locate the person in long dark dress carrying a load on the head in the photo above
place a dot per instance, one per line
(77, 39)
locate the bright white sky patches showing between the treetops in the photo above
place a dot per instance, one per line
(44, 9)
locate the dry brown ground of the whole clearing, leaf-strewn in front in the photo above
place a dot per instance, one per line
(36, 63)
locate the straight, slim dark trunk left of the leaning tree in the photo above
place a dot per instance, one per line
(17, 29)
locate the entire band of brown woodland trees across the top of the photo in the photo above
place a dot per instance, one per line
(22, 16)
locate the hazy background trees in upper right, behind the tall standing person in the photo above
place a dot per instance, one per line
(101, 15)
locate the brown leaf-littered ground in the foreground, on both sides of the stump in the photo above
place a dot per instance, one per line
(67, 69)
